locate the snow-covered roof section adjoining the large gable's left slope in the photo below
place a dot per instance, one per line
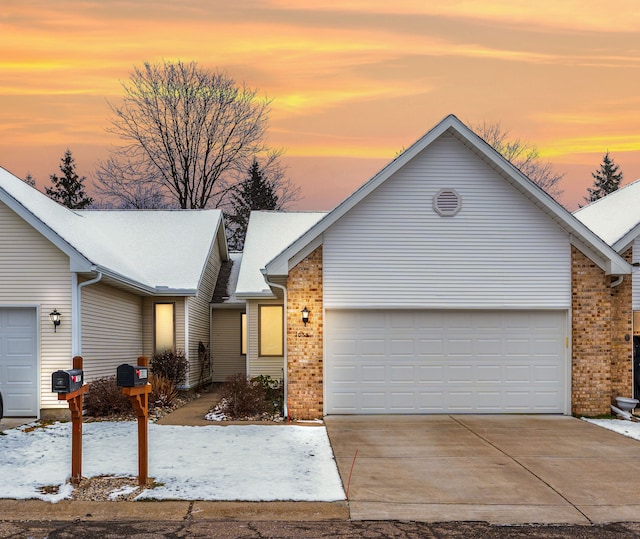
(268, 234)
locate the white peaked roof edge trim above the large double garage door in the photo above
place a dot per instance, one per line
(581, 236)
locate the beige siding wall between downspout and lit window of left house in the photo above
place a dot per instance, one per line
(111, 329)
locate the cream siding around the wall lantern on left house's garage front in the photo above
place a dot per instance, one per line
(33, 272)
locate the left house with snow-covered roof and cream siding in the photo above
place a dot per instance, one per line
(126, 283)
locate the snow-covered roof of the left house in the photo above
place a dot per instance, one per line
(156, 252)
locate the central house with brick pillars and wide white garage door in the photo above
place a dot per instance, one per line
(448, 283)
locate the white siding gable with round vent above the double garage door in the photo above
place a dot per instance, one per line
(498, 251)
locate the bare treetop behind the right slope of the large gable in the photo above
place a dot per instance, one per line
(522, 155)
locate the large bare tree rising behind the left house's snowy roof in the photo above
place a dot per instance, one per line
(193, 132)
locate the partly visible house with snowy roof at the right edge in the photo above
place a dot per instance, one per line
(616, 219)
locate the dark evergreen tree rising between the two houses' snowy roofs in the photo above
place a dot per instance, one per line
(255, 192)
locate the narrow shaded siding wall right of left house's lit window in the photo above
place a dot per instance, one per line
(199, 322)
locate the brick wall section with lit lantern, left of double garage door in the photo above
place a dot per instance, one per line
(305, 344)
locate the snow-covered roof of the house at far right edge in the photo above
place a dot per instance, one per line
(615, 217)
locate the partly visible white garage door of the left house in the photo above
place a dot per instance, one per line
(18, 361)
